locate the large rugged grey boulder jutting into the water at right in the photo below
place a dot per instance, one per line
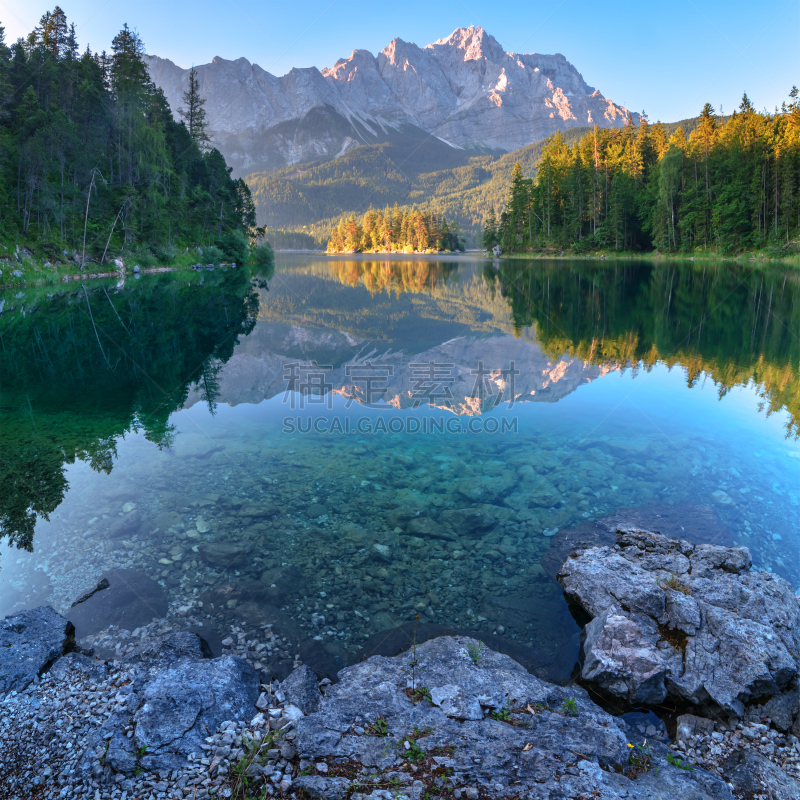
(672, 618)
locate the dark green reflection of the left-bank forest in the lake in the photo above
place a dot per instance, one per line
(115, 372)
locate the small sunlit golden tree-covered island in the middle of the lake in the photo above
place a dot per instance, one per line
(395, 231)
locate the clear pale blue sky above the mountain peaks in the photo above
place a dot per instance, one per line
(666, 57)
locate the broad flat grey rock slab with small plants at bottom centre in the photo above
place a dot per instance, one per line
(481, 750)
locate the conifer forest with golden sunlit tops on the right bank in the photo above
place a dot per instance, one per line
(732, 185)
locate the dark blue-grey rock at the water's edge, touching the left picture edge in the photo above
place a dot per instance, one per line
(30, 641)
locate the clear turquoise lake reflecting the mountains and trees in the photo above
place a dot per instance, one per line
(303, 460)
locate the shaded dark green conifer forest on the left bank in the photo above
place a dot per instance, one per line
(92, 161)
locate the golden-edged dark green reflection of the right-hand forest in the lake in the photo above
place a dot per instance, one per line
(650, 314)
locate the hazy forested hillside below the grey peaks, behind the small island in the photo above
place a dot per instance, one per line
(410, 169)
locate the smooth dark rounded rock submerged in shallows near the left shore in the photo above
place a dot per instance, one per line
(122, 597)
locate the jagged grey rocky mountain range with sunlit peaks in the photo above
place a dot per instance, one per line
(464, 91)
